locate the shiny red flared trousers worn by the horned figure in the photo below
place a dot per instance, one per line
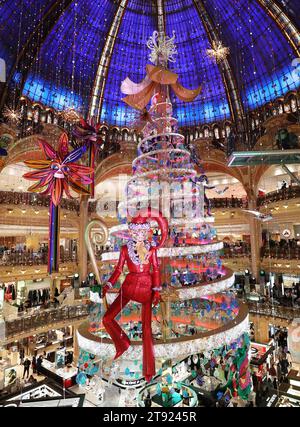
(137, 288)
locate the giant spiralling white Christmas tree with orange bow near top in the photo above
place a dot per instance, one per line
(199, 319)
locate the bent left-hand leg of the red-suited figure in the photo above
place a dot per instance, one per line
(118, 336)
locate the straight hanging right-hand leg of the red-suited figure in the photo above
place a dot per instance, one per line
(148, 349)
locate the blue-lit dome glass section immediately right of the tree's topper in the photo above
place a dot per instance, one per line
(194, 67)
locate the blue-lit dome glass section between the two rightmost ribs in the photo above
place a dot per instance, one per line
(260, 54)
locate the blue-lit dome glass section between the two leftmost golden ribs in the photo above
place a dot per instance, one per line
(55, 66)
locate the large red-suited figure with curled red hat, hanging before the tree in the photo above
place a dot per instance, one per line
(141, 285)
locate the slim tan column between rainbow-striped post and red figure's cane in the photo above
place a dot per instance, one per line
(83, 221)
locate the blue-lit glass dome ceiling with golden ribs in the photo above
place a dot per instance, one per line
(76, 53)
